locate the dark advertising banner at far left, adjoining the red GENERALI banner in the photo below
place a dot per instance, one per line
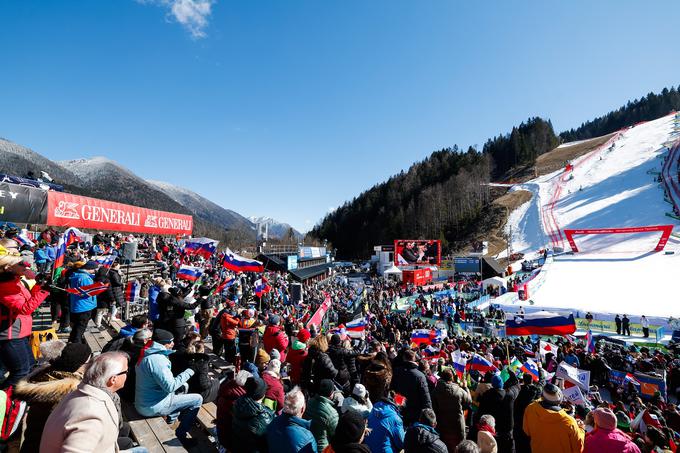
(22, 204)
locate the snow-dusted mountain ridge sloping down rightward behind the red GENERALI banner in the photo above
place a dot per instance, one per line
(204, 208)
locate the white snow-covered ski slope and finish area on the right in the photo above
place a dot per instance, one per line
(612, 187)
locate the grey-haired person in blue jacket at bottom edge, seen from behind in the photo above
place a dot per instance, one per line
(289, 432)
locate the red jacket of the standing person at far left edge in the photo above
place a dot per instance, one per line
(16, 305)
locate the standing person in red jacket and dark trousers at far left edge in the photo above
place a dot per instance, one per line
(17, 303)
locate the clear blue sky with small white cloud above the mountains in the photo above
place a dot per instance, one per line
(288, 108)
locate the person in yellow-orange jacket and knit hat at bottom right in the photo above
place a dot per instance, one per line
(549, 427)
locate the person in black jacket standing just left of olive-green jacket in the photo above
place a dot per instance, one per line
(411, 383)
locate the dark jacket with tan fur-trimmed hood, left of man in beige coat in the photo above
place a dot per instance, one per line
(42, 392)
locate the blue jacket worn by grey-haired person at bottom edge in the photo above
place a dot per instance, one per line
(291, 435)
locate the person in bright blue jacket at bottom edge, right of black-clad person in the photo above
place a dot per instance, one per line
(387, 428)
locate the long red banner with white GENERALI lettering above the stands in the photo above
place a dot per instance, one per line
(68, 210)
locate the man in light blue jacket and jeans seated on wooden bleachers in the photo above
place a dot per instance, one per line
(155, 387)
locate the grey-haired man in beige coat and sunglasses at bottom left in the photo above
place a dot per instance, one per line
(87, 419)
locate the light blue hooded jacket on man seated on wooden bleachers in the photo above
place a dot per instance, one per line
(154, 381)
